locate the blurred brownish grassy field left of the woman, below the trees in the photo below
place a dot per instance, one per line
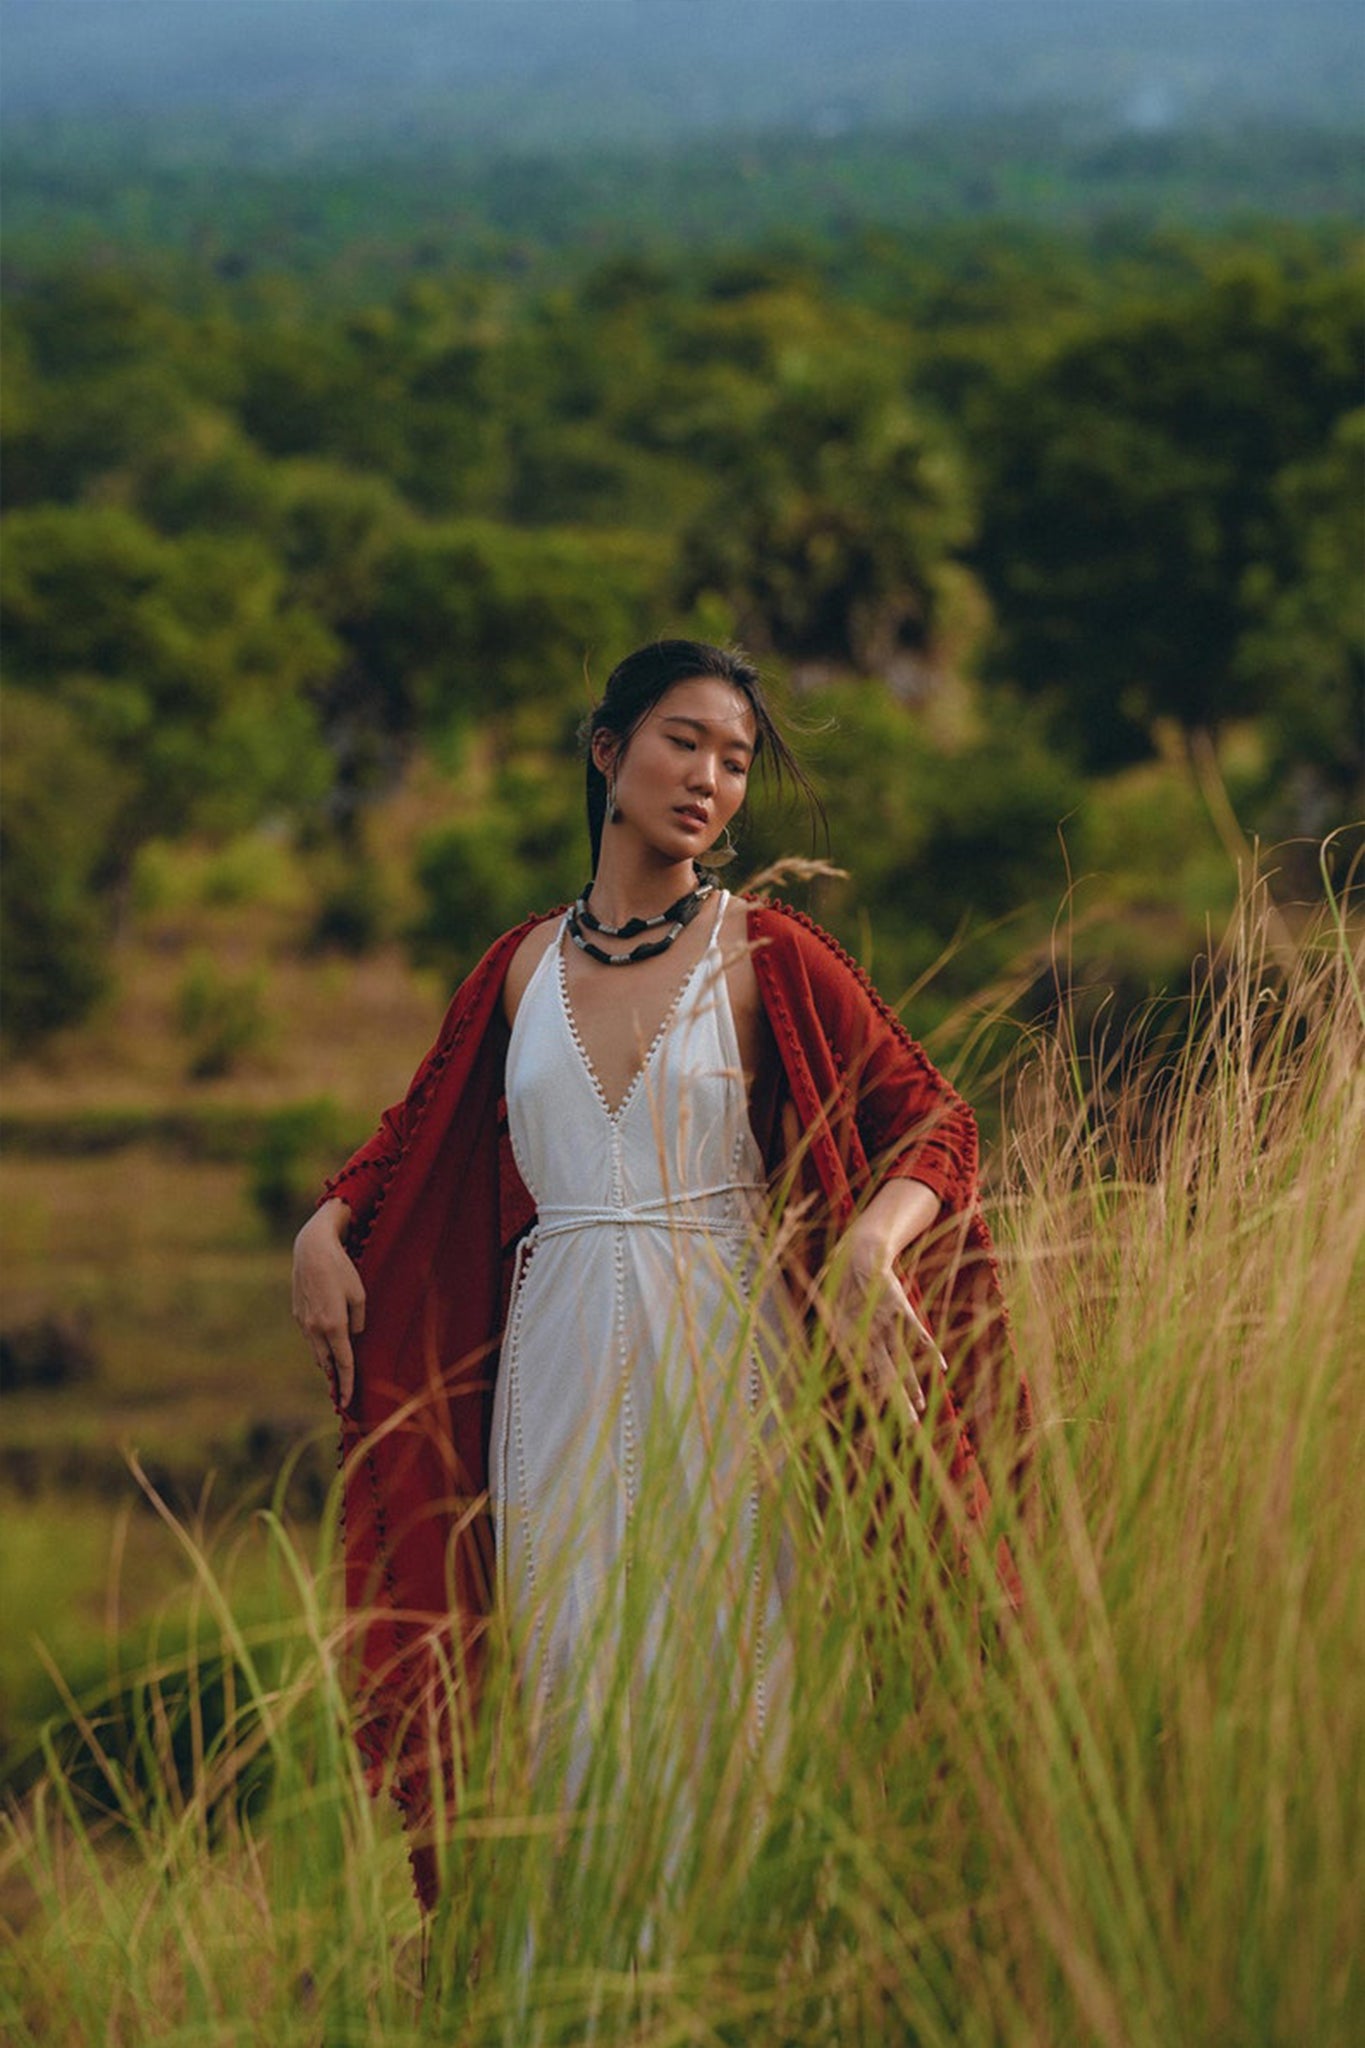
(130, 1222)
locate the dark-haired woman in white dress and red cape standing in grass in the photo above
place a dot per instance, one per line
(494, 1281)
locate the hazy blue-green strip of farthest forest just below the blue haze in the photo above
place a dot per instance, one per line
(365, 224)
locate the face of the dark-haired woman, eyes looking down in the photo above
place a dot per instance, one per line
(685, 771)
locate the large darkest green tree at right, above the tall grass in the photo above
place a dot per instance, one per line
(1135, 499)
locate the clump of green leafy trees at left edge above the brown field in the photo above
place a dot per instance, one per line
(157, 687)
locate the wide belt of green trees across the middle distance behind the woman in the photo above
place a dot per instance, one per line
(265, 544)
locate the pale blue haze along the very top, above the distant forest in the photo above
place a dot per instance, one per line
(292, 81)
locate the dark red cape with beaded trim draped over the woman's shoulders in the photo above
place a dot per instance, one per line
(437, 1213)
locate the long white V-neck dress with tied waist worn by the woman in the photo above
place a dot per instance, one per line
(637, 1355)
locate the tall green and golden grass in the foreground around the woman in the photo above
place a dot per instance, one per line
(1131, 1818)
